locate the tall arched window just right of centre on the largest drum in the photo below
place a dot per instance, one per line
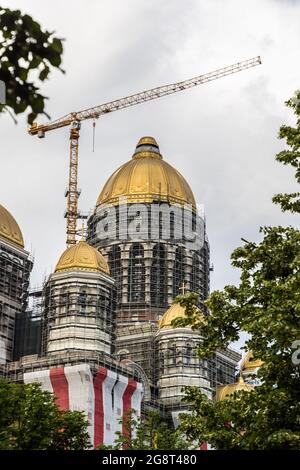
(158, 277)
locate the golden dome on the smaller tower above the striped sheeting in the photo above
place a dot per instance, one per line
(82, 257)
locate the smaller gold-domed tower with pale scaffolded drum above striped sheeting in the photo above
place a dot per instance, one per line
(79, 304)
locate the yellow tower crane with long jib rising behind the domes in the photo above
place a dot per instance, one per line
(74, 121)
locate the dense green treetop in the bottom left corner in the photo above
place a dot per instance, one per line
(30, 420)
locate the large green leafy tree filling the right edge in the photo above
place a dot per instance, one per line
(266, 305)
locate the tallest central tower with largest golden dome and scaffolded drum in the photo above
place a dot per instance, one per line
(147, 226)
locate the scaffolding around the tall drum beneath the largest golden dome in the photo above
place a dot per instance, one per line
(150, 269)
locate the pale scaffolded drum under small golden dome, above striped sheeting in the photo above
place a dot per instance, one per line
(78, 313)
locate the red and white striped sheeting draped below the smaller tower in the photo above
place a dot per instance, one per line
(104, 398)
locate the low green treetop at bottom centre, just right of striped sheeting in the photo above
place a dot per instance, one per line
(149, 432)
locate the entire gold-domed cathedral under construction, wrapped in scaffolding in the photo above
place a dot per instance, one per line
(98, 333)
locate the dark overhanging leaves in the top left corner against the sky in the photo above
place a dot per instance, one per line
(27, 55)
